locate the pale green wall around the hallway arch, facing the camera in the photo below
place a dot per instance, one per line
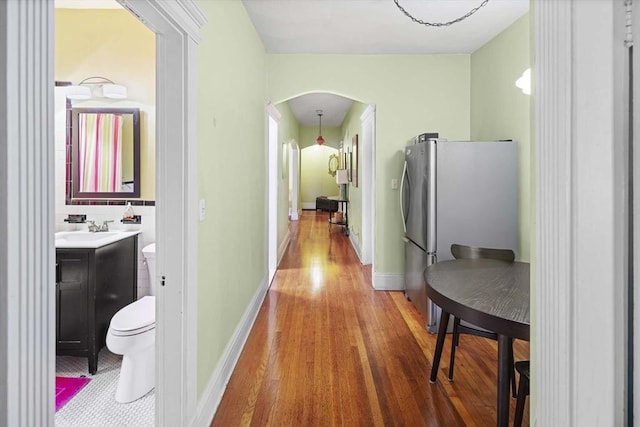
(412, 94)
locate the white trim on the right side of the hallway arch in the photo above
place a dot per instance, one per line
(368, 150)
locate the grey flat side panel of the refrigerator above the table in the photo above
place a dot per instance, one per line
(477, 195)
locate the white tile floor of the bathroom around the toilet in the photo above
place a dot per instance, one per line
(95, 405)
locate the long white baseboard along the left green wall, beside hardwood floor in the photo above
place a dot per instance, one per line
(212, 395)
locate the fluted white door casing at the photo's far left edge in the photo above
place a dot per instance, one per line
(27, 255)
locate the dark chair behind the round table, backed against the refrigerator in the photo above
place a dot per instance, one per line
(470, 252)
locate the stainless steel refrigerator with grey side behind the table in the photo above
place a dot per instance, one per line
(454, 192)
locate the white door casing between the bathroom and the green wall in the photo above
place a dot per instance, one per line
(176, 24)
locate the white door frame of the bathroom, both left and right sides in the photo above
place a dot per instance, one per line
(27, 303)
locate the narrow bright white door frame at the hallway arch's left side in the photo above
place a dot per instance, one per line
(272, 148)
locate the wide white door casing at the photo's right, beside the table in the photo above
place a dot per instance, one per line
(578, 379)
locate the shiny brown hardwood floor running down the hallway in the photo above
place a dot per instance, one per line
(326, 349)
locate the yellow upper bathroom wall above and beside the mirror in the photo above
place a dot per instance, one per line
(115, 45)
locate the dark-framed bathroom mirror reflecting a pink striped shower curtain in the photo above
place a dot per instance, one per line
(105, 153)
